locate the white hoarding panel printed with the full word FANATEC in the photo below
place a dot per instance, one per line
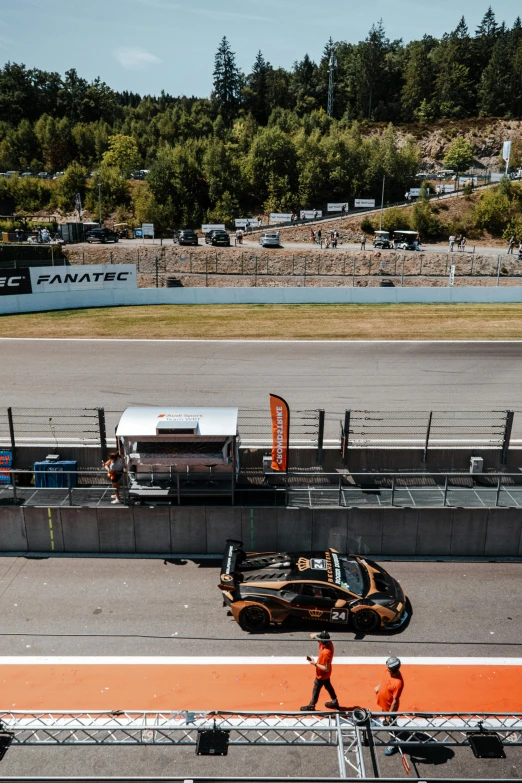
(48, 279)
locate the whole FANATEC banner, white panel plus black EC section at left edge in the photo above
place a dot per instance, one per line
(50, 279)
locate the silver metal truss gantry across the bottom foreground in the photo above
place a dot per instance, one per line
(349, 733)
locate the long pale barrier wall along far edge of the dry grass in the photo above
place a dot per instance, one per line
(71, 300)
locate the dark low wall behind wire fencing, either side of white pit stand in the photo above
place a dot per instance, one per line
(359, 460)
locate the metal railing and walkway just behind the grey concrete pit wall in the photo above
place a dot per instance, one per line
(300, 489)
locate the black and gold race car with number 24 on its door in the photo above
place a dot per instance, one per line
(268, 587)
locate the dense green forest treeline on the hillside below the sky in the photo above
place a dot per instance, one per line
(263, 140)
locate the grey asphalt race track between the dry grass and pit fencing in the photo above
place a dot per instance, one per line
(332, 375)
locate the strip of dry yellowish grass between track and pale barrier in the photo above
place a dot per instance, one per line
(275, 322)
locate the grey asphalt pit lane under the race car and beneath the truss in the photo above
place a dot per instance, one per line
(137, 607)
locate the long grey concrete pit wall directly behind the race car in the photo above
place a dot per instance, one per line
(458, 532)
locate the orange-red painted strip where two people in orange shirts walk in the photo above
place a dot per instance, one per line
(430, 688)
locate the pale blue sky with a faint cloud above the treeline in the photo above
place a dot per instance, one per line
(146, 46)
